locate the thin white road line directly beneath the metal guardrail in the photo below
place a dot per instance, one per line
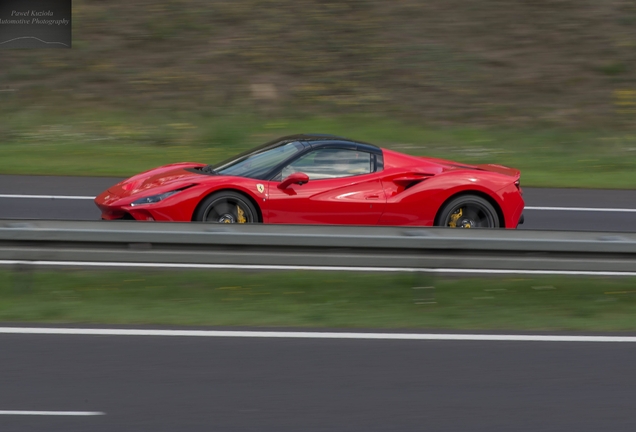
(313, 268)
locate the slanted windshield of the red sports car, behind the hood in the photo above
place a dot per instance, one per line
(259, 163)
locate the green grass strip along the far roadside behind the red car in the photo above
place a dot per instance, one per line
(122, 144)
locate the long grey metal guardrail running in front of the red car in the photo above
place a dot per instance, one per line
(302, 245)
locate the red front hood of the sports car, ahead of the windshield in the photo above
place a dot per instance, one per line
(164, 178)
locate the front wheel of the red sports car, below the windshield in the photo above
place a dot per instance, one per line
(226, 207)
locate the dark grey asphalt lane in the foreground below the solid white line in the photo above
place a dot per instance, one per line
(159, 384)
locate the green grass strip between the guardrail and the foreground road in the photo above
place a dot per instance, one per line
(313, 299)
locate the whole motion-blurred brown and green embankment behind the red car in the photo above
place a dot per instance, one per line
(547, 86)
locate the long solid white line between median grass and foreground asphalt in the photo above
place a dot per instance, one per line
(312, 335)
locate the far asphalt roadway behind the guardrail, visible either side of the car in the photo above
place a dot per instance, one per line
(579, 220)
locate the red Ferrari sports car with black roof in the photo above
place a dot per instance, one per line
(322, 179)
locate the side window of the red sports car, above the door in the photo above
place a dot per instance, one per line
(331, 163)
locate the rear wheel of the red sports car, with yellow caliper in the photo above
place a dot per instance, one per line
(468, 211)
